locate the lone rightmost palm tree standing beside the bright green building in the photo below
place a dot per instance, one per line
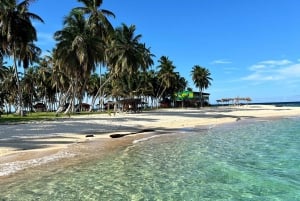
(201, 78)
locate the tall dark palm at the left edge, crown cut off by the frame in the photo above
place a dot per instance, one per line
(17, 33)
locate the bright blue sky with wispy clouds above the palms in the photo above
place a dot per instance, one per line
(251, 47)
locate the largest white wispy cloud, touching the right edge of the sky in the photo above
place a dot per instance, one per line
(273, 70)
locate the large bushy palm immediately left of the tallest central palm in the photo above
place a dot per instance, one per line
(78, 49)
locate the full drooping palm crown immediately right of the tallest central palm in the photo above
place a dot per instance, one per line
(128, 57)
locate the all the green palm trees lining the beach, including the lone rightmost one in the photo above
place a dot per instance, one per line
(67, 74)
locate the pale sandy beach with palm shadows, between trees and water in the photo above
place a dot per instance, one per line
(23, 146)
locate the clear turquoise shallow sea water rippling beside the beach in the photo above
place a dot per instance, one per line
(253, 161)
